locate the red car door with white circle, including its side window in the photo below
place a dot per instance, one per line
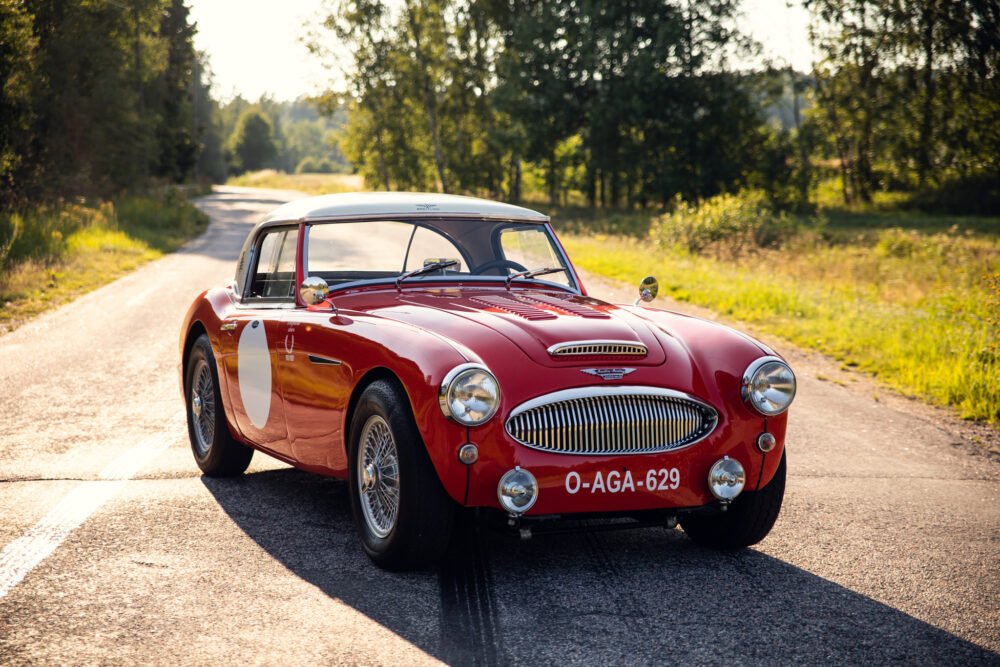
(254, 337)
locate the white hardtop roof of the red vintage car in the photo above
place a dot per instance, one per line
(381, 205)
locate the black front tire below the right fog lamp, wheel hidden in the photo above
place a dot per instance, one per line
(746, 521)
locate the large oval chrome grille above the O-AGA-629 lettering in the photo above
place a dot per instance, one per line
(612, 421)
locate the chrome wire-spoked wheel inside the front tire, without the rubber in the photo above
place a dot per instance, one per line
(378, 476)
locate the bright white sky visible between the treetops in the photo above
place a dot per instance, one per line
(254, 46)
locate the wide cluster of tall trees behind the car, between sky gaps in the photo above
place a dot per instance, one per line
(631, 102)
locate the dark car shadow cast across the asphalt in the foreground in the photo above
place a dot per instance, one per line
(641, 597)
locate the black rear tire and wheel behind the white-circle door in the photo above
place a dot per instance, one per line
(215, 450)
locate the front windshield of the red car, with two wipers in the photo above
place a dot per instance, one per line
(450, 249)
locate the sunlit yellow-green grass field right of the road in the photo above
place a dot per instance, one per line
(912, 299)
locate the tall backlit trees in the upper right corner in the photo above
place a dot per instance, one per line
(908, 92)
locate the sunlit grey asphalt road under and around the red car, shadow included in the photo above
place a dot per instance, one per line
(117, 551)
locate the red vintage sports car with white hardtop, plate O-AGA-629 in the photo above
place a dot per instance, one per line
(440, 352)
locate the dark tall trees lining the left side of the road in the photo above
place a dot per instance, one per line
(96, 97)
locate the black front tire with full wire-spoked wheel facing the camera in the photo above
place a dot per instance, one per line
(418, 535)
